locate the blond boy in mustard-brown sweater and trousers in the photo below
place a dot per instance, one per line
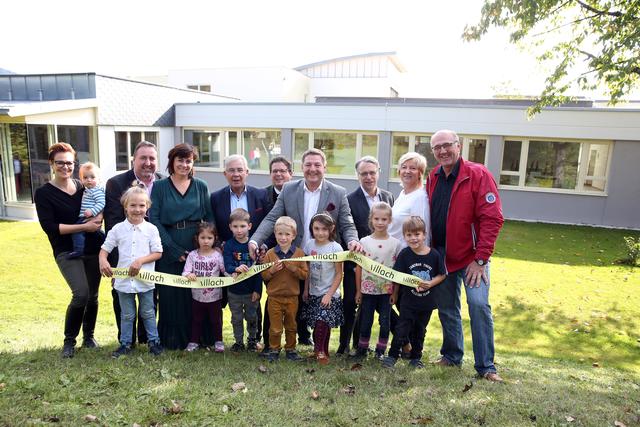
(283, 289)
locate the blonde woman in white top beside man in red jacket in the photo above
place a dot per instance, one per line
(413, 199)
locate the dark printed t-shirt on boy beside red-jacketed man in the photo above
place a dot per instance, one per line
(426, 267)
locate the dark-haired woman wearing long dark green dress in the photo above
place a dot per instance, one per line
(178, 204)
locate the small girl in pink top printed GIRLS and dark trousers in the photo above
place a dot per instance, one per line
(205, 262)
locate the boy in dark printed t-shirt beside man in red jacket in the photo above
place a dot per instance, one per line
(416, 304)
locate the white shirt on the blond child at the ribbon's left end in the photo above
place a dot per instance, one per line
(133, 242)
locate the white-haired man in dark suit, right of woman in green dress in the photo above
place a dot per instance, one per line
(239, 195)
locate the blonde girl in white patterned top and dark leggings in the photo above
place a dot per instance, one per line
(373, 292)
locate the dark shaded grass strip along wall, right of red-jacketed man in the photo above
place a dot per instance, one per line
(562, 244)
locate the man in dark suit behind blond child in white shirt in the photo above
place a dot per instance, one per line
(144, 173)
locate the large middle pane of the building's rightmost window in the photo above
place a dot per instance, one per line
(552, 164)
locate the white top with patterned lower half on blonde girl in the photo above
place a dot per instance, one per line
(385, 252)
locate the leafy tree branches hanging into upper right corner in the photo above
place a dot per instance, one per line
(603, 34)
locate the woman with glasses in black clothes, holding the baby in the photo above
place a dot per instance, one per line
(58, 204)
